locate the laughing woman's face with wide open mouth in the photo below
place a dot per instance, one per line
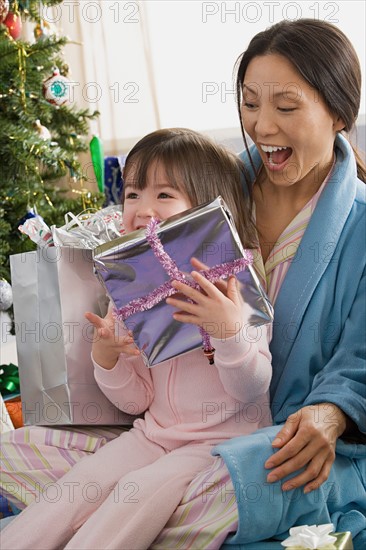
(289, 123)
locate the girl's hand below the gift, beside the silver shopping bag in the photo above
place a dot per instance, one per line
(107, 343)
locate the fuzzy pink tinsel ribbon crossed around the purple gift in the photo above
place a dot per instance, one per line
(213, 275)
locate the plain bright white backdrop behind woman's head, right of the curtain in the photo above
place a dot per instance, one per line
(195, 50)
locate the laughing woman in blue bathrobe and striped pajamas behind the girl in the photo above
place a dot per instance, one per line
(303, 203)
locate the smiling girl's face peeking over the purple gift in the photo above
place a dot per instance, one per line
(159, 199)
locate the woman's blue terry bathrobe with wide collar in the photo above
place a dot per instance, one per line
(318, 355)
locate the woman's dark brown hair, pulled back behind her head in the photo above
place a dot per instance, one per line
(323, 56)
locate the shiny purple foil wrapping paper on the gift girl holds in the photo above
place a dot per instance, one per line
(128, 270)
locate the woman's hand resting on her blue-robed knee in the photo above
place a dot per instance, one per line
(307, 440)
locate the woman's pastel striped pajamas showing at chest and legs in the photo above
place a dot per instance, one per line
(34, 458)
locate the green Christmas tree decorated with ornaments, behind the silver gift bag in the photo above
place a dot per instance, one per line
(41, 131)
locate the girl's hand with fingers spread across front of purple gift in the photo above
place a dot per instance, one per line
(219, 313)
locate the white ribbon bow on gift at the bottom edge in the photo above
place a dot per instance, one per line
(311, 536)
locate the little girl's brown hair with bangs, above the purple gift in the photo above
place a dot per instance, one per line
(200, 169)
